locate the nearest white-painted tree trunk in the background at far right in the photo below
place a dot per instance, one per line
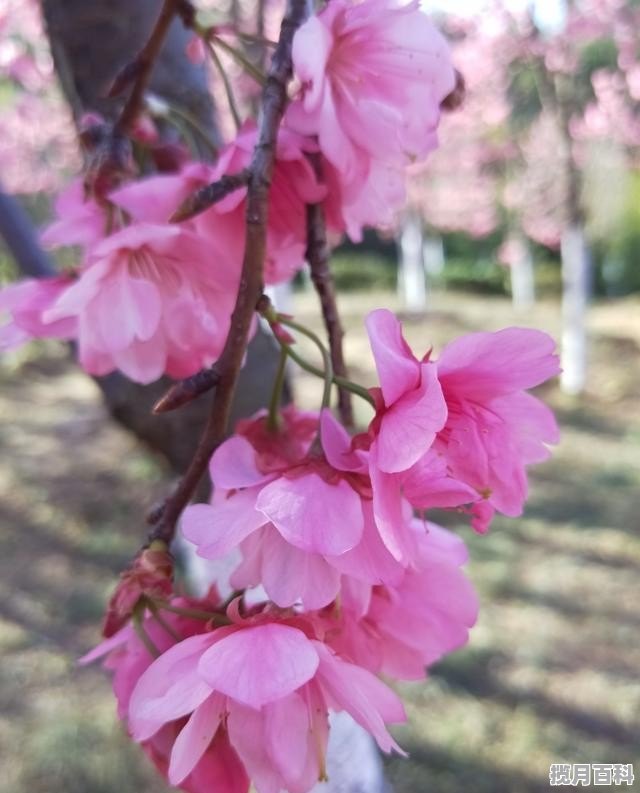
(576, 287)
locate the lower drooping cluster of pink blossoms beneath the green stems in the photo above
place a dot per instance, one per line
(347, 582)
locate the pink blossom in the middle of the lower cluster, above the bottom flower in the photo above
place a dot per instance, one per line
(302, 515)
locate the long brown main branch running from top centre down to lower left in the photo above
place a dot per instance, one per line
(274, 100)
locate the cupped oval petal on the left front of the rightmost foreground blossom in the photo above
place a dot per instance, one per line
(409, 427)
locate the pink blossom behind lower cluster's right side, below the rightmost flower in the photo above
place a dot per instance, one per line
(411, 625)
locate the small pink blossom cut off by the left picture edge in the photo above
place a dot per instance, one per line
(25, 303)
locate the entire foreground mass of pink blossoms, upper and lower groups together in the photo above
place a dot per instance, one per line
(330, 569)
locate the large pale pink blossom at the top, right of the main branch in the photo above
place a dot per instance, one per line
(372, 75)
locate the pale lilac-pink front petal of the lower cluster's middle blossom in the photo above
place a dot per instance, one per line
(313, 515)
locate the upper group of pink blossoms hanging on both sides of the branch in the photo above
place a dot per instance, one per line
(152, 298)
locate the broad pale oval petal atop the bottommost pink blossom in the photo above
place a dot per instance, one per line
(259, 665)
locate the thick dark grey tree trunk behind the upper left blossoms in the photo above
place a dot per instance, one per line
(90, 43)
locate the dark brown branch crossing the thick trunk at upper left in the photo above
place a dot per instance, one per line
(141, 67)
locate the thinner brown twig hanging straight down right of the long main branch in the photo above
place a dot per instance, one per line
(318, 258)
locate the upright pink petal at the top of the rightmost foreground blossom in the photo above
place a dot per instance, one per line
(398, 369)
